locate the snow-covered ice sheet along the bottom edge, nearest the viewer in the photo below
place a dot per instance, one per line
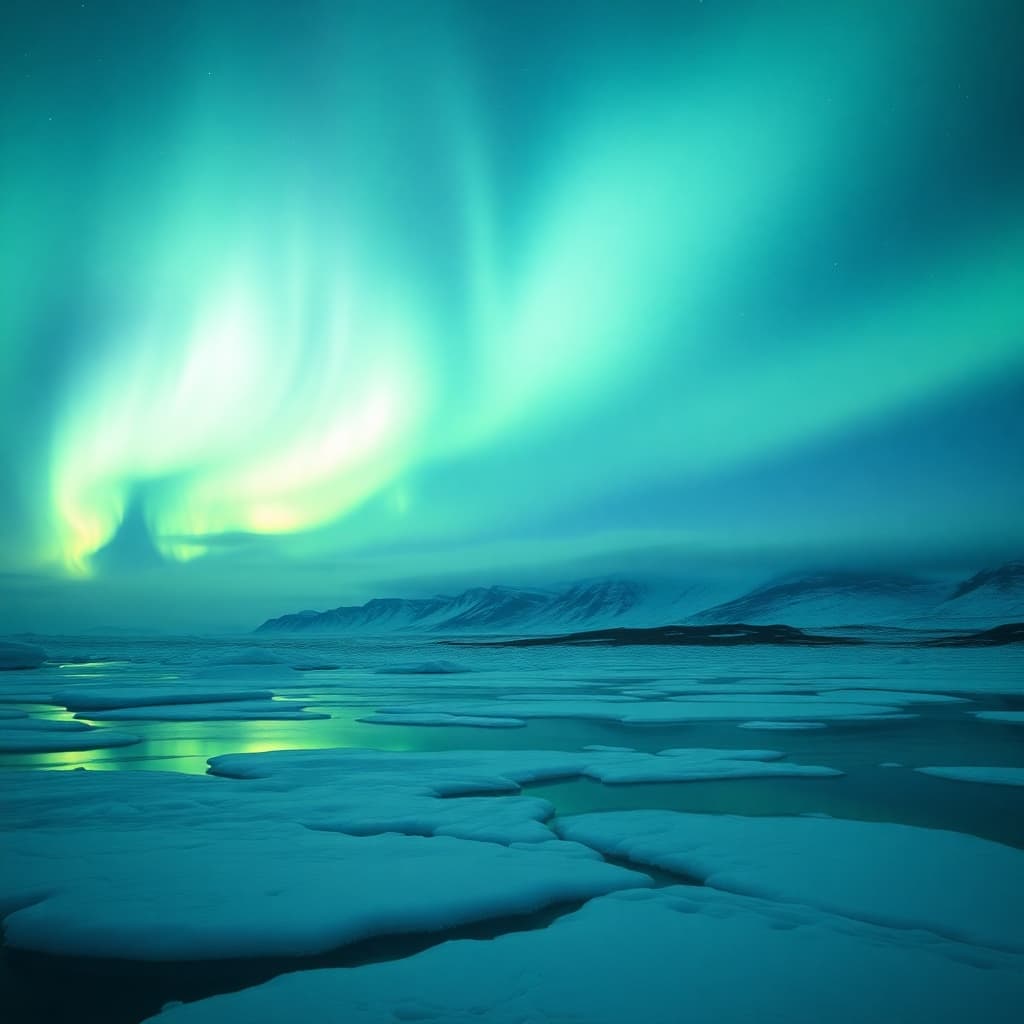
(662, 957)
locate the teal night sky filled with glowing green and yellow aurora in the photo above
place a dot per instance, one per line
(305, 301)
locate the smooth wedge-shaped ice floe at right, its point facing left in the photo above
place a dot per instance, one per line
(958, 886)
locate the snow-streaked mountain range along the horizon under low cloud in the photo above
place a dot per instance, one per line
(813, 601)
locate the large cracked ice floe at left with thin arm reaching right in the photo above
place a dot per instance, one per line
(141, 864)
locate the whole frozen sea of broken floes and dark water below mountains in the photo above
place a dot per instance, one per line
(392, 829)
